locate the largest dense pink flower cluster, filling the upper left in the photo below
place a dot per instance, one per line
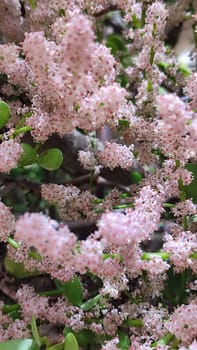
(75, 81)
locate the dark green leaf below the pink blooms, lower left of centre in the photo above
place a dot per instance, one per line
(72, 290)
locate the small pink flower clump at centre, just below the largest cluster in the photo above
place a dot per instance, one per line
(115, 155)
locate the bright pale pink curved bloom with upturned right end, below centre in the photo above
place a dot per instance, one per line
(136, 225)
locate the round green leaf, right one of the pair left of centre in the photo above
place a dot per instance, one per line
(51, 159)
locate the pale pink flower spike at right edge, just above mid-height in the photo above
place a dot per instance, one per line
(176, 128)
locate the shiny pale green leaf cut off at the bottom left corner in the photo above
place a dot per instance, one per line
(19, 344)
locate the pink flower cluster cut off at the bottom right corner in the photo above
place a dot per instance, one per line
(183, 323)
